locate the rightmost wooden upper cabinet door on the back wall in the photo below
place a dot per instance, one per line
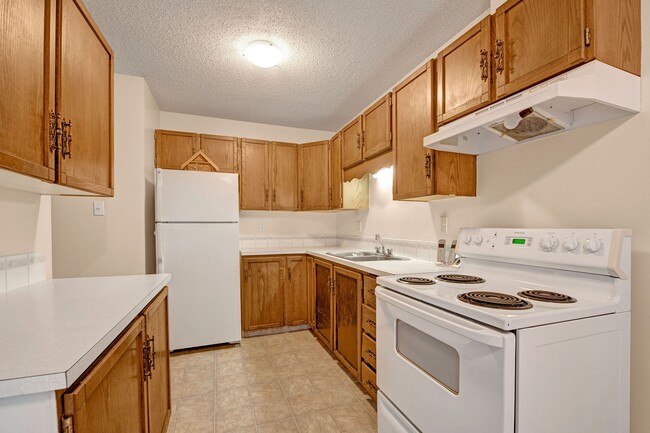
(315, 176)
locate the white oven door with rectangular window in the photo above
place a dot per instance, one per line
(446, 374)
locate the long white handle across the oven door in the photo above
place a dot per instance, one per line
(448, 321)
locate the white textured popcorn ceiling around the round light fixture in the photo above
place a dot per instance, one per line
(340, 55)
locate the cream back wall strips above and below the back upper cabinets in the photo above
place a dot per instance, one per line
(276, 223)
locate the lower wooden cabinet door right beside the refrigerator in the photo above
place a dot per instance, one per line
(263, 293)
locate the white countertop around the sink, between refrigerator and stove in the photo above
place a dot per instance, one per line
(380, 268)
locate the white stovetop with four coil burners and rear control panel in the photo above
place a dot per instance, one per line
(583, 294)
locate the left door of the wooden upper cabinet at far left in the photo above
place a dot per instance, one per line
(27, 86)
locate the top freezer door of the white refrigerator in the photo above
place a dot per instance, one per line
(195, 196)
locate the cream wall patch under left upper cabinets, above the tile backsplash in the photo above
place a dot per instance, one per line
(25, 224)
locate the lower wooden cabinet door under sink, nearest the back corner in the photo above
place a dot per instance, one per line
(324, 301)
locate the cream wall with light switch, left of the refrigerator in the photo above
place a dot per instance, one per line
(117, 243)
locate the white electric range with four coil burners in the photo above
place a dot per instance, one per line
(531, 334)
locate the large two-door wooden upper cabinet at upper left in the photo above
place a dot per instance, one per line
(57, 71)
